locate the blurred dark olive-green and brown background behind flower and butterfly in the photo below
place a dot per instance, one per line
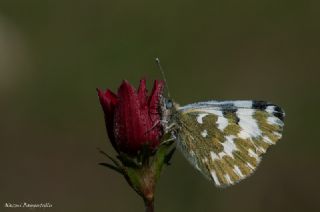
(53, 54)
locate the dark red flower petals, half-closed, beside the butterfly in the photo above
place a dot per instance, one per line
(133, 118)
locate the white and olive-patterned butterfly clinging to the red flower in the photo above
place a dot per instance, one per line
(224, 140)
